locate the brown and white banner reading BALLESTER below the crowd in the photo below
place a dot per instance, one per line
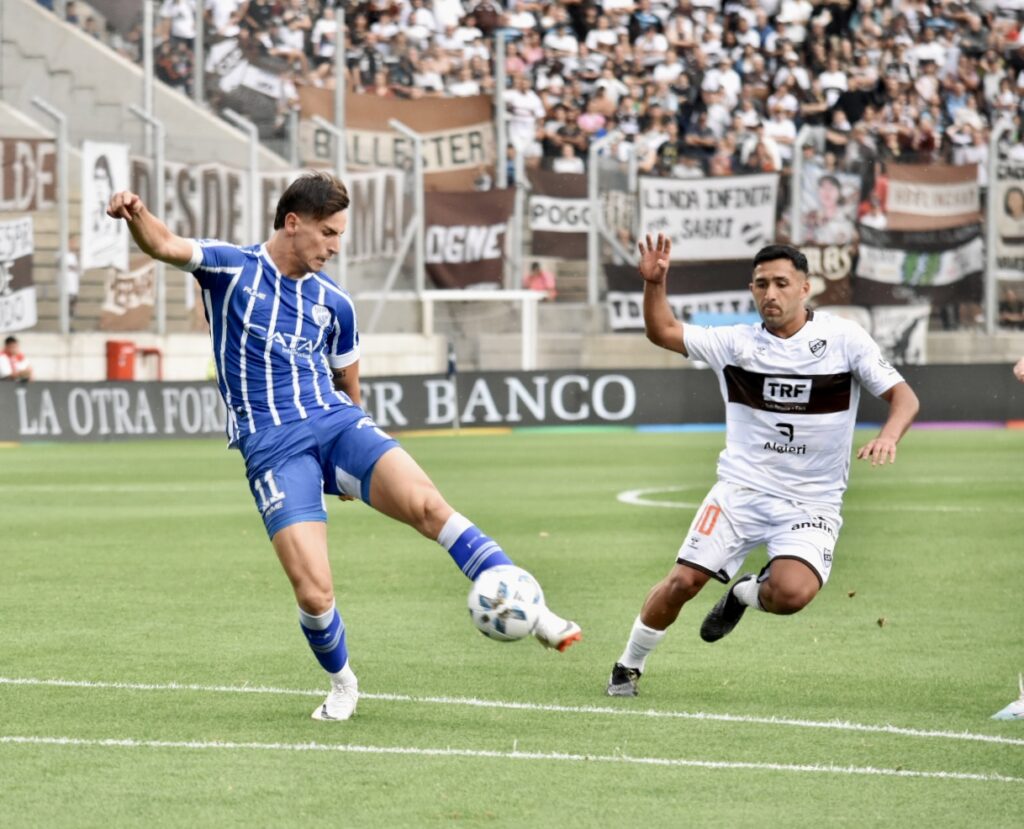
(458, 136)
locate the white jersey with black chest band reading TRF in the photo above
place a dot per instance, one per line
(791, 405)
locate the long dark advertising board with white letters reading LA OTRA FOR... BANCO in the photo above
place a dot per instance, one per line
(97, 412)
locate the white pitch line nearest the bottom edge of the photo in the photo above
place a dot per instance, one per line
(866, 771)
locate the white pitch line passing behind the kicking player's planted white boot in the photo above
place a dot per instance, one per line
(472, 703)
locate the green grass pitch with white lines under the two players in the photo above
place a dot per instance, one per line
(153, 674)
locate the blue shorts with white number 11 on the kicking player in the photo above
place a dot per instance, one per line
(292, 466)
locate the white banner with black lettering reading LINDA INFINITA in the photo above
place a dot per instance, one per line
(712, 219)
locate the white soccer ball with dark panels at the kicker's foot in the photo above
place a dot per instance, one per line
(505, 603)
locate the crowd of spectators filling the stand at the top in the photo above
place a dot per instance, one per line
(693, 88)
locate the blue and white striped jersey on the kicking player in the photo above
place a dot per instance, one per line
(276, 340)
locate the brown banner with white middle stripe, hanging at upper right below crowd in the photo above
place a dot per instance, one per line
(932, 197)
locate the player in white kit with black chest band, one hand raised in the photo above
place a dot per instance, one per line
(791, 386)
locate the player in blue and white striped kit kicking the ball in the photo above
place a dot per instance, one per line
(287, 351)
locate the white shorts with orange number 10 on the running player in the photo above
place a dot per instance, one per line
(734, 520)
